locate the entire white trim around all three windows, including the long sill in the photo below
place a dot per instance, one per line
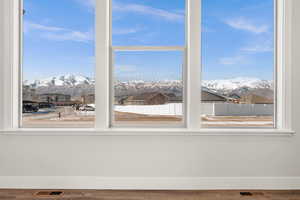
(10, 59)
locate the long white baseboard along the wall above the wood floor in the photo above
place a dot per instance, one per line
(172, 183)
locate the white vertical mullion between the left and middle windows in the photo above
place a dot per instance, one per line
(102, 63)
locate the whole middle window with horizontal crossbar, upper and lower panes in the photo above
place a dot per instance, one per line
(148, 63)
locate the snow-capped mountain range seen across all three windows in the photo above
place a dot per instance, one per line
(77, 85)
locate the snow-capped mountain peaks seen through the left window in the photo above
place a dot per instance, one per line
(64, 80)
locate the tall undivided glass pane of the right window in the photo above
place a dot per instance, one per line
(238, 63)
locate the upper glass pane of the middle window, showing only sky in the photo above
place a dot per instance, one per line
(148, 23)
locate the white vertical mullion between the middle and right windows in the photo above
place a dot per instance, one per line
(193, 64)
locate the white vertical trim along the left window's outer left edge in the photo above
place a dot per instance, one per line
(10, 100)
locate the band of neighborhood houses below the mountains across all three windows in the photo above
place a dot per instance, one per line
(43, 100)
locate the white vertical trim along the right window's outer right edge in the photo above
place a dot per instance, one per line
(283, 64)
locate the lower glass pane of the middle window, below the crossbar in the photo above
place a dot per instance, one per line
(148, 88)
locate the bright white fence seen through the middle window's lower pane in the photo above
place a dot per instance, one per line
(165, 109)
